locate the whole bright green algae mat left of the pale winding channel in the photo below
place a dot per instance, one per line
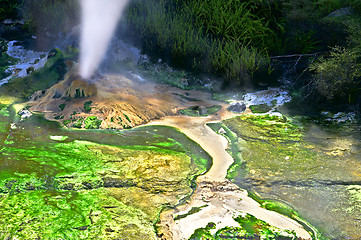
(57, 183)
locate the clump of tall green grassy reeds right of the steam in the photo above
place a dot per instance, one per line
(190, 35)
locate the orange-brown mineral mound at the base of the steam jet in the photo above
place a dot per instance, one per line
(116, 100)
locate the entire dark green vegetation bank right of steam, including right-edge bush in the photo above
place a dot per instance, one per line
(248, 42)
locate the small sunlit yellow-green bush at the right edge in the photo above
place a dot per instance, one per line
(338, 76)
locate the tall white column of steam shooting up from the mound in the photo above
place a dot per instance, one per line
(99, 20)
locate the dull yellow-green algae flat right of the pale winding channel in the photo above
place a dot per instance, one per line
(312, 166)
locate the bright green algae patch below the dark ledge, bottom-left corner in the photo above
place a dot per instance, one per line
(72, 216)
